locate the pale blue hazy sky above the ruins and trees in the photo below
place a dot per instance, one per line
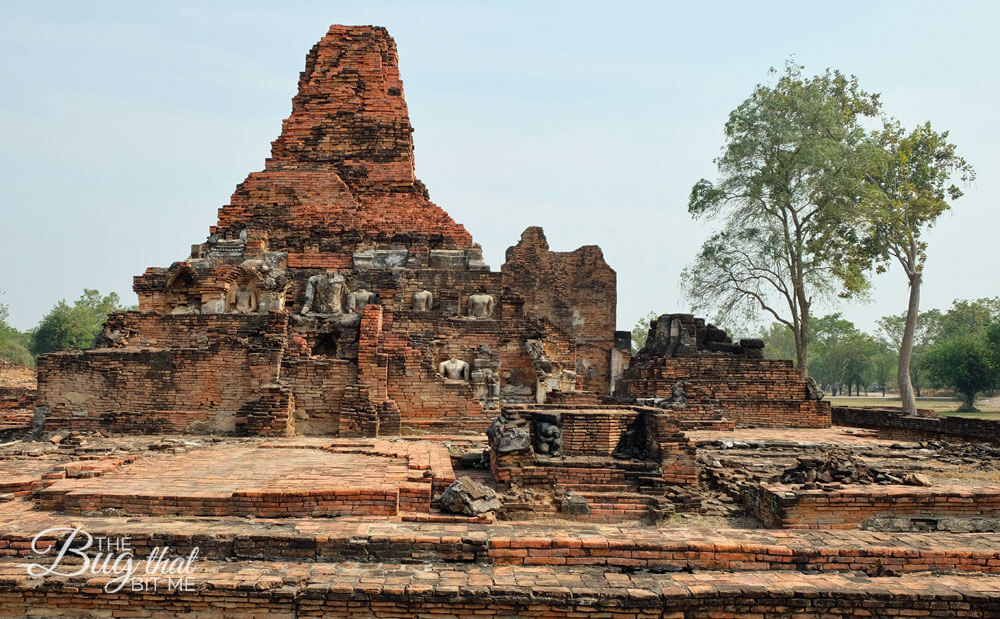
(125, 125)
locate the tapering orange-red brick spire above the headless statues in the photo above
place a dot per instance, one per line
(340, 177)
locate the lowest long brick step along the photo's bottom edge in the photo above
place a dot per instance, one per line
(357, 589)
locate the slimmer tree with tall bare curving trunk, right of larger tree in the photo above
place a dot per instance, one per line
(915, 186)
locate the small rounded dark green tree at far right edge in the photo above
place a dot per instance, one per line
(965, 363)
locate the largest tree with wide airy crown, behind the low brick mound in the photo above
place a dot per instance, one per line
(791, 183)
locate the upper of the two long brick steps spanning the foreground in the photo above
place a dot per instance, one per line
(612, 547)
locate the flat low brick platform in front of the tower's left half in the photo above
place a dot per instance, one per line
(292, 478)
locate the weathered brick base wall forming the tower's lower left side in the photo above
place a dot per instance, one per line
(222, 374)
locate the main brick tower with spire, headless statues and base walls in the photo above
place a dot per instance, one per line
(333, 296)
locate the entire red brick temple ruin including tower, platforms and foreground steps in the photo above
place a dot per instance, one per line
(346, 412)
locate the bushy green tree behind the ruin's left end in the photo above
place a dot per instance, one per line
(75, 326)
